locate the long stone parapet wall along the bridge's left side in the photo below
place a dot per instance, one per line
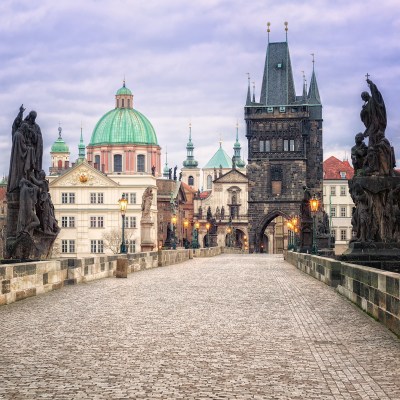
(19, 281)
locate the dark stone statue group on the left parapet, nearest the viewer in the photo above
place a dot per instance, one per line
(31, 223)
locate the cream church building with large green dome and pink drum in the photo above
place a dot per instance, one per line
(123, 158)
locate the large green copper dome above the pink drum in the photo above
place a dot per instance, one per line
(123, 126)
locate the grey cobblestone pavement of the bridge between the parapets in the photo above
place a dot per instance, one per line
(228, 327)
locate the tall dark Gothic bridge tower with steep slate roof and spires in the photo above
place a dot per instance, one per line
(284, 133)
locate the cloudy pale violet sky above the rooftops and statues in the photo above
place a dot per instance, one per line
(187, 62)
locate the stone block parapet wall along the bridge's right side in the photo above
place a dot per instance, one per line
(375, 291)
